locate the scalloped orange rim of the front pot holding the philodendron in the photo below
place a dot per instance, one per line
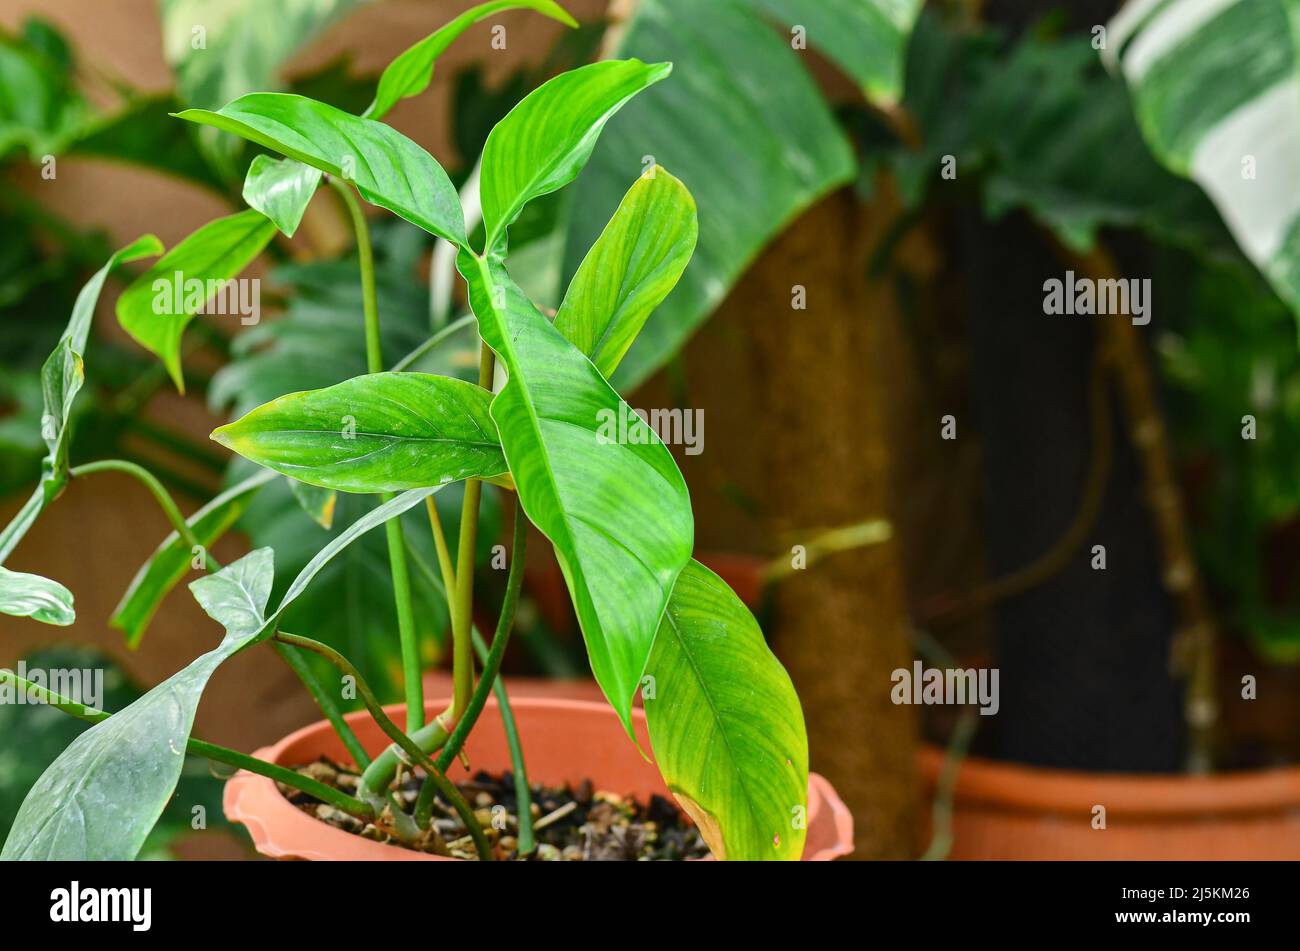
(283, 831)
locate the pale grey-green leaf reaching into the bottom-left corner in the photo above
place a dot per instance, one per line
(106, 792)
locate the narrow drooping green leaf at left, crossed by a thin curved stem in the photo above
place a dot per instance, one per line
(172, 559)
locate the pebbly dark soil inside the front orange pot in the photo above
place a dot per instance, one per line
(579, 824)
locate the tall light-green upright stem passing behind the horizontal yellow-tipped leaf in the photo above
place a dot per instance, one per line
(393, 528)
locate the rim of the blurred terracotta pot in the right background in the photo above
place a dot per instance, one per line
(1043, 789)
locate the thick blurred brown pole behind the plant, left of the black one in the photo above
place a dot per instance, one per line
(820, 433)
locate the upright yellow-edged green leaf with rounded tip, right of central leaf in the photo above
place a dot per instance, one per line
(631, 270)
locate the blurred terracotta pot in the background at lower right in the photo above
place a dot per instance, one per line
(1006, 811)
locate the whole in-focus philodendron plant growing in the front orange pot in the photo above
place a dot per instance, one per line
(725, 724)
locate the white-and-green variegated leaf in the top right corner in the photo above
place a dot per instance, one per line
(1216, 88)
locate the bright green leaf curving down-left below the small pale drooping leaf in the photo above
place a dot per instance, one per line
(159, 306)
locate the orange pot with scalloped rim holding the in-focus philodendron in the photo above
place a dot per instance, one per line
(565, 741)
